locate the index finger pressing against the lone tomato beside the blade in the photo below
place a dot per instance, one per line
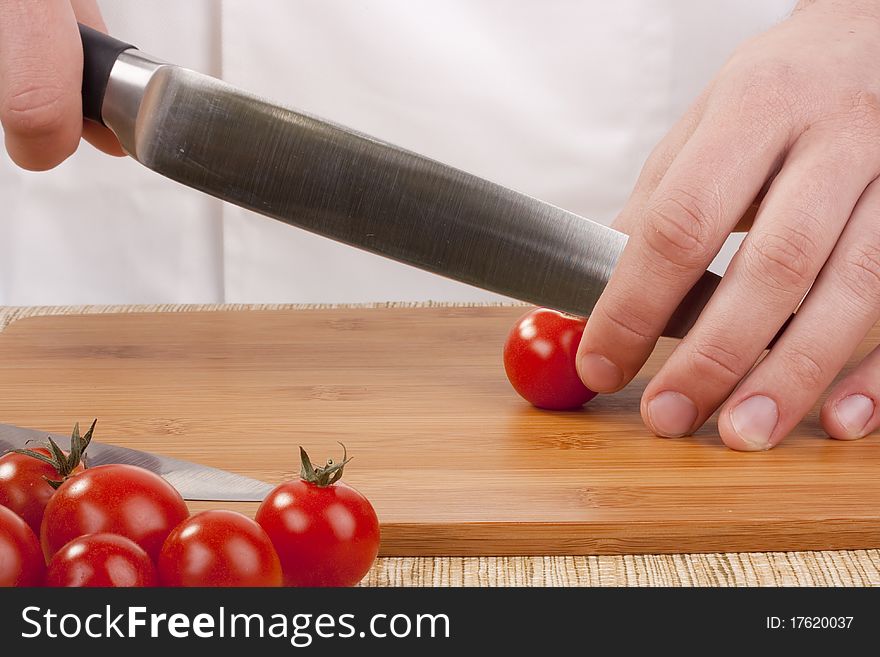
(682, 226)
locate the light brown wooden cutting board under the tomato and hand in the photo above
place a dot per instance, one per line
(453, 460)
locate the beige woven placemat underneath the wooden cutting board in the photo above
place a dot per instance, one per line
(831, 568)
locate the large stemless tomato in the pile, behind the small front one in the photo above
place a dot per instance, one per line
(114, 499)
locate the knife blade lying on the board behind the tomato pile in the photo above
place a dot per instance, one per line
(193, 481)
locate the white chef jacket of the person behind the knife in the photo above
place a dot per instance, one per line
(560, 99)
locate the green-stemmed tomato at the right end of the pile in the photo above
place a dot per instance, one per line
(325, 532)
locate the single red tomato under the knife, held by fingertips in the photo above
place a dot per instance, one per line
(539, 358)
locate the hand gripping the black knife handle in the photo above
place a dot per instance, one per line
(40, 81)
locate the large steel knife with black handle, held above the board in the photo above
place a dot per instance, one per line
(350, 187)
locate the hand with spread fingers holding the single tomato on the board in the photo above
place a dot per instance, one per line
(791, 122)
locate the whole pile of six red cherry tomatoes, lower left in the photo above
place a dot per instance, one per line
(118, 525)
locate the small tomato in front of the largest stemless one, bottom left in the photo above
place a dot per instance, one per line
(101, 560)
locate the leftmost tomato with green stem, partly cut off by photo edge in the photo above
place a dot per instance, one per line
(23, 485)
